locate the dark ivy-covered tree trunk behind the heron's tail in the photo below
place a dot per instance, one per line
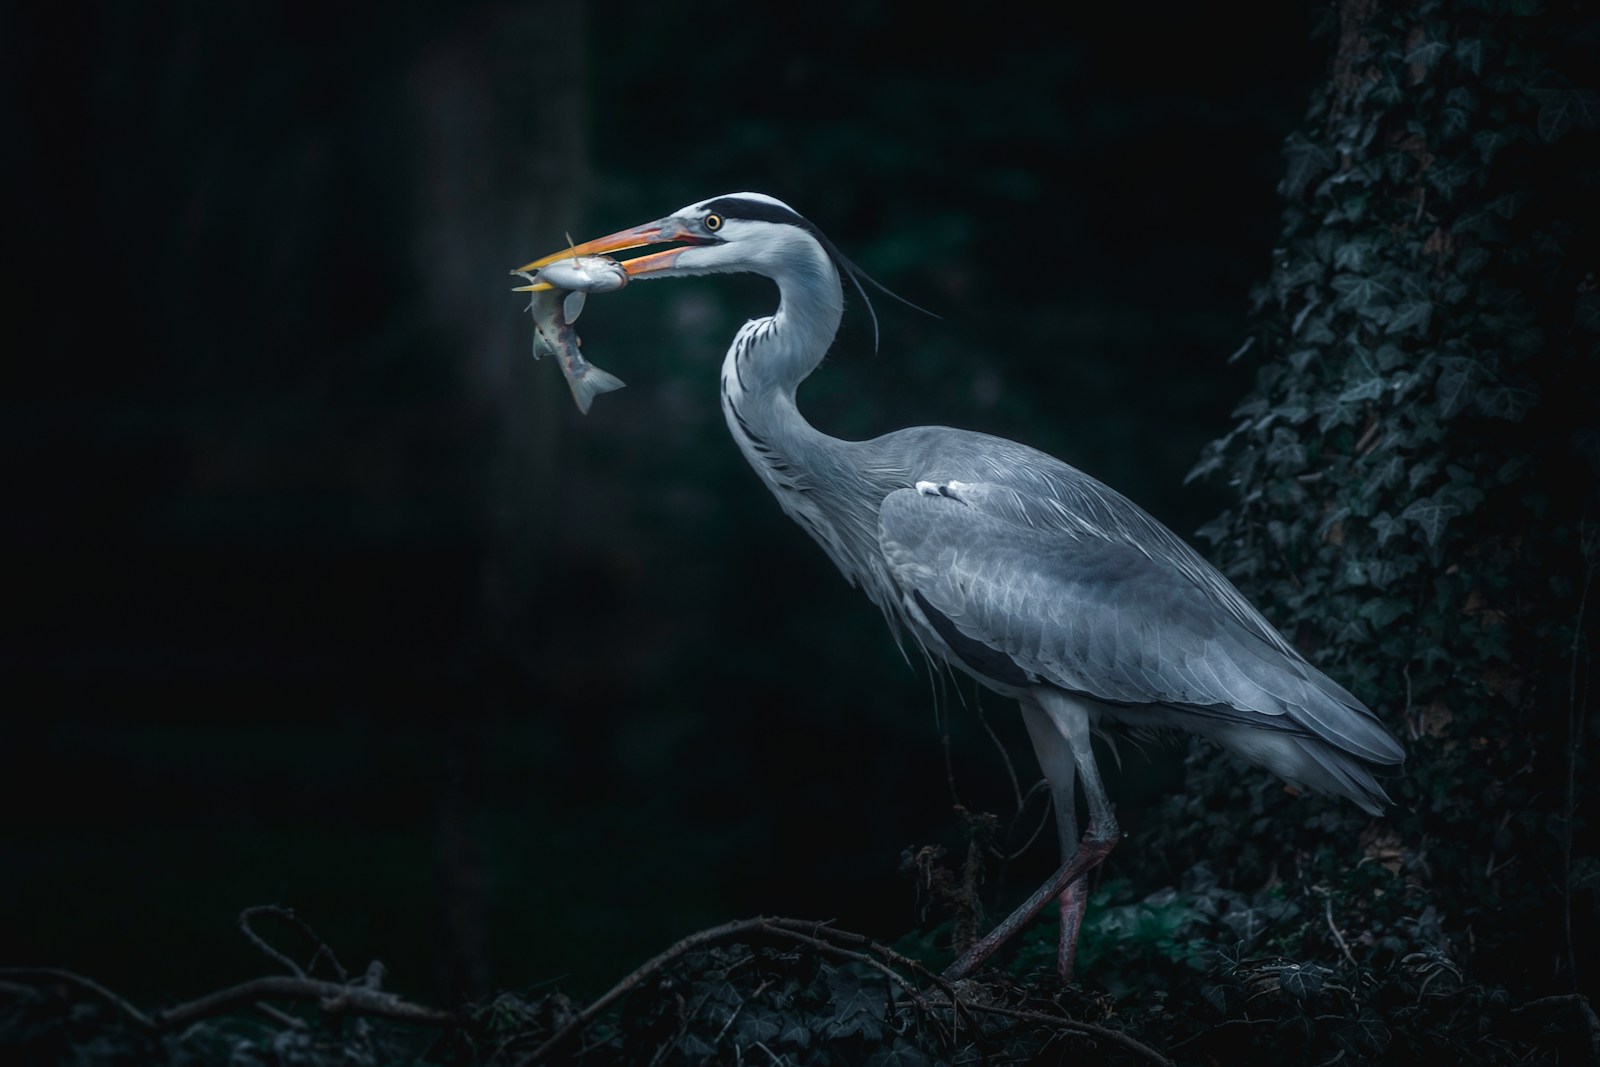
(1415, 478)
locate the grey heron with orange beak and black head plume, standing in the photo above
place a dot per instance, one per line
(1007, 564)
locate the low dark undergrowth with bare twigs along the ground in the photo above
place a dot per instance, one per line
(817, 1005)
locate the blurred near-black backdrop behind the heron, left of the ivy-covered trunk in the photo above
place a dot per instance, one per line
(319, 589)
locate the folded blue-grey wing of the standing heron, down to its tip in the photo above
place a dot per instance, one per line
(1063, 604)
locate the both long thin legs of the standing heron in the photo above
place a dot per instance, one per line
(1060, 727)
